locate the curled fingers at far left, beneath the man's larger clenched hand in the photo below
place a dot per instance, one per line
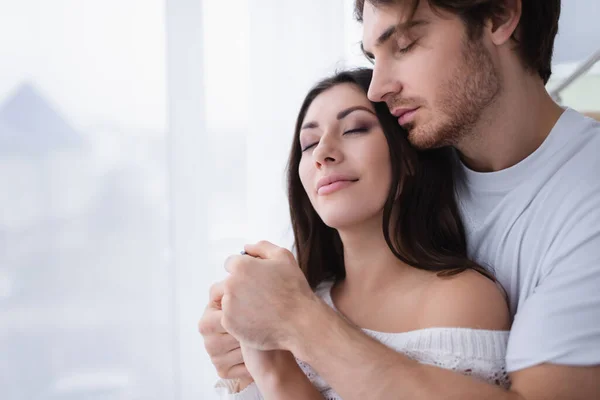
(224, 350)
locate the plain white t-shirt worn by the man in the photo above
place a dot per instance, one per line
(537, 225)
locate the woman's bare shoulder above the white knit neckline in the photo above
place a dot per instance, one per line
(466, 300)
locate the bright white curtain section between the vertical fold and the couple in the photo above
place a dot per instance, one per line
(235, 88)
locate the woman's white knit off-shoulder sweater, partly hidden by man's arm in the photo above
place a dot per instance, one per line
(475, 352)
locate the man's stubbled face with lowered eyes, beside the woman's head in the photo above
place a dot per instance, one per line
(432, 77)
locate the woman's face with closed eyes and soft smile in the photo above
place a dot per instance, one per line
(345, 165)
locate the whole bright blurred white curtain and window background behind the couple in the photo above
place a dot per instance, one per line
(141, 143)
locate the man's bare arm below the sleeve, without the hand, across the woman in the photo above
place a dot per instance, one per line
(359, 367)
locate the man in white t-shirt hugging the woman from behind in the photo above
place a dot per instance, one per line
(468, 74)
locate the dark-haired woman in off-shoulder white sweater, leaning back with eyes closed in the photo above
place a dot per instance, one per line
(379, 238)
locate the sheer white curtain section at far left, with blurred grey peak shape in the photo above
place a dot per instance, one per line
(85, 293)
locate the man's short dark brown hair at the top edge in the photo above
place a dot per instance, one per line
(534, 36)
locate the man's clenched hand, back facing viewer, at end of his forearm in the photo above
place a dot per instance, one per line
(264, 296)
